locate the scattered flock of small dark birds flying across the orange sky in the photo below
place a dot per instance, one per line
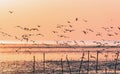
(62, 31)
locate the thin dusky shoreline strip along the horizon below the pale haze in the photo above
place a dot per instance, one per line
(53, 46)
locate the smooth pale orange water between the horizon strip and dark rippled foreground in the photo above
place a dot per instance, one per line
(17, 54)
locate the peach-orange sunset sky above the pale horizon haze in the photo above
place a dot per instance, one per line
(48, 14)
